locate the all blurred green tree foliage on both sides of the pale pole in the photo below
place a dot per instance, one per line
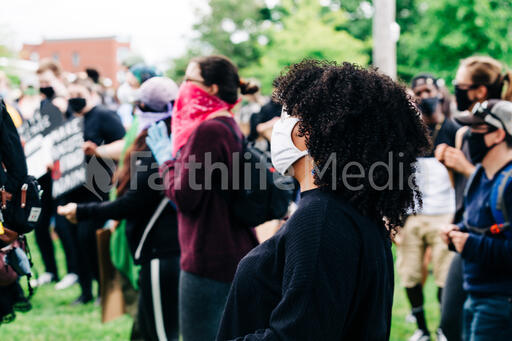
(435, 34)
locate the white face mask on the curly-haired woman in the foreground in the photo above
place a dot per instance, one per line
(283, 151)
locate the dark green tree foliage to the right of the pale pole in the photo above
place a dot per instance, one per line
(450, 30)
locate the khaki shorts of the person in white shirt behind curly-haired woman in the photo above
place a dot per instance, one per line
(419, 232)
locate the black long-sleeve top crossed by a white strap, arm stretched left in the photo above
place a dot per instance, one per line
(137, 205)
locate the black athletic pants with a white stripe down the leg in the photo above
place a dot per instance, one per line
(158, 299)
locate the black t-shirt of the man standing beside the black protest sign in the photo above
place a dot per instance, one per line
(102, 126)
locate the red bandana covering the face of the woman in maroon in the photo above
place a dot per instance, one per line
(193, 106)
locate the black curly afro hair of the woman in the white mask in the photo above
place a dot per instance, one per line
(365, 120)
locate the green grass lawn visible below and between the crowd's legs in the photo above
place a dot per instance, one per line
(52, 318)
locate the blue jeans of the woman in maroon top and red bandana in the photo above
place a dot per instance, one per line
(201, 303)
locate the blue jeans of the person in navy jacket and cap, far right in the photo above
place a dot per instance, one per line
(488, 318)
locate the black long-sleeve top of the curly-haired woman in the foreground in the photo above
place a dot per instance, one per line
(326, 275)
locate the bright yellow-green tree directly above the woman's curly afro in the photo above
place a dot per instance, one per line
(307, 31)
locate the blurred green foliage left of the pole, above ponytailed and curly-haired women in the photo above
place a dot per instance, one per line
(262, 40)
